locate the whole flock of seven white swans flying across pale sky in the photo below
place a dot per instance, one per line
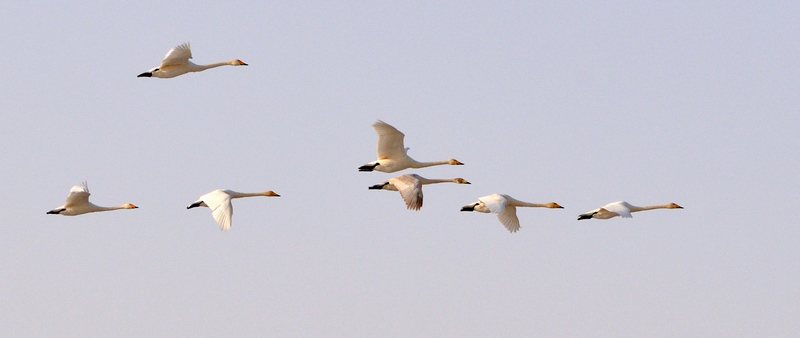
(392, 156)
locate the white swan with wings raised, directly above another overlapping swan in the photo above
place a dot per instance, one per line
(392, 154)
